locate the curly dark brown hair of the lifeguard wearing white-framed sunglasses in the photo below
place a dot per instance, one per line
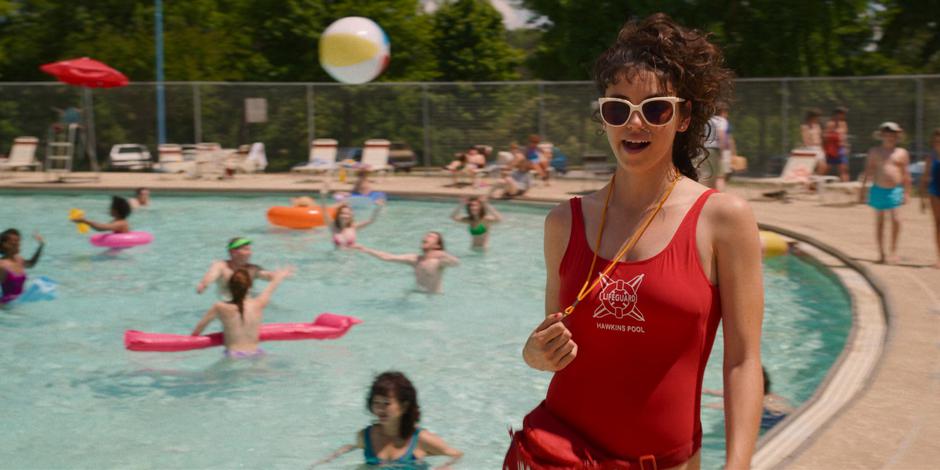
(683, 60)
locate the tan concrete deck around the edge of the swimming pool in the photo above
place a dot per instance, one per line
(891, 423)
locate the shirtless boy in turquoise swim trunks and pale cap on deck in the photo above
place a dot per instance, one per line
(887, 166)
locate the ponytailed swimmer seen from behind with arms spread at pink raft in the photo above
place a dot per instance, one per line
(241, 317)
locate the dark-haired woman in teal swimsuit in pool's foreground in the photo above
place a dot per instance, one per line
(396, 439)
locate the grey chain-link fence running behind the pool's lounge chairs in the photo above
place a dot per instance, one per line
(439, 119)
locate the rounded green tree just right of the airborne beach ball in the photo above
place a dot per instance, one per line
(471, 43)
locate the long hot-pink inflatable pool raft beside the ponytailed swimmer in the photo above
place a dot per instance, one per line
(325, 326)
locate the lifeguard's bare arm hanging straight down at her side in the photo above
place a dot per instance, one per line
(738, 260)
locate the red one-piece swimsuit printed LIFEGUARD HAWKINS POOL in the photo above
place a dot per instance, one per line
(644, 335)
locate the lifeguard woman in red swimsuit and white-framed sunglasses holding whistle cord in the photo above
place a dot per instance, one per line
(628, 326)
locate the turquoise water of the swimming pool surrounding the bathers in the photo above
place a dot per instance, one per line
(73, 397)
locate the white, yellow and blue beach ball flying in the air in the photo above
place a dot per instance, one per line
(354, 50)
